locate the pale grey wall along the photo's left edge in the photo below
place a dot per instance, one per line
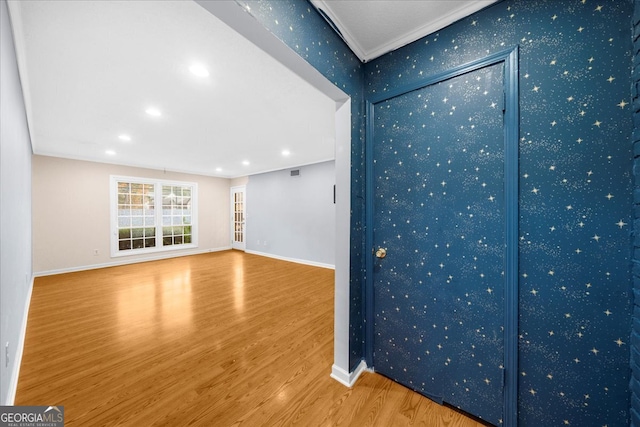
(15, 213)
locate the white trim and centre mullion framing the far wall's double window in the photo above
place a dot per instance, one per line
(158, 183)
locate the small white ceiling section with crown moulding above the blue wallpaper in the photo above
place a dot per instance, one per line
(373, 28)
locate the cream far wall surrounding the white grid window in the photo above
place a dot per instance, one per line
(71, 213)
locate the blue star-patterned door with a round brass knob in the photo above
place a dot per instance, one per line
(439, 239)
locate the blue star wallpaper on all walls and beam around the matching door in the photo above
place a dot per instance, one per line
(575, 179)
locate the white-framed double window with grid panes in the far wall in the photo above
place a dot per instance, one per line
(152, 215)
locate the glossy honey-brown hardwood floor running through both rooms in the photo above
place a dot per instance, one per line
(221, 339)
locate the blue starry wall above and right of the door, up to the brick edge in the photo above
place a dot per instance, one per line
(575, 195)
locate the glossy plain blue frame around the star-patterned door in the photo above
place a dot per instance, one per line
(509, 58)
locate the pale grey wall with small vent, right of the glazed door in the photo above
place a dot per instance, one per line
(293, 218)
